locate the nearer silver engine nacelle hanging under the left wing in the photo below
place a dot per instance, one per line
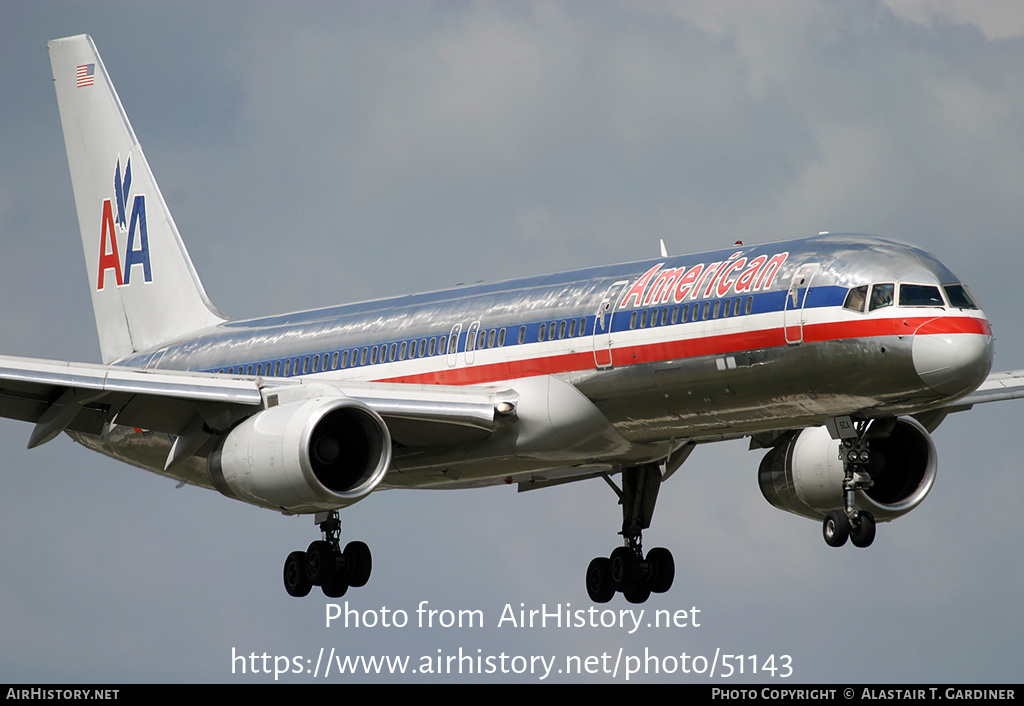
(309, 456)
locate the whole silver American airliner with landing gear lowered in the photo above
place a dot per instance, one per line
(835, 355)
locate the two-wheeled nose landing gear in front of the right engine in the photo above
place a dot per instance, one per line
(858, 526)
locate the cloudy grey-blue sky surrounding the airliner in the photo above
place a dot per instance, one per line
(316, 154)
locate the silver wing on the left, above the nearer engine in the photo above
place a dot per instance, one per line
(79, 397)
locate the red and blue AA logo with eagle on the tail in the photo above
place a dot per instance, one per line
(132, 229)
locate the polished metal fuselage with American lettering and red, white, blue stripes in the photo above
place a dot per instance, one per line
(699, 348)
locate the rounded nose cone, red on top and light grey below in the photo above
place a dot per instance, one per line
(952, 363)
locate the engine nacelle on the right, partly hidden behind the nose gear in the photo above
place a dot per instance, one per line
(803, 473)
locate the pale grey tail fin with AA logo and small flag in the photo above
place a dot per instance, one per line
(145, 288)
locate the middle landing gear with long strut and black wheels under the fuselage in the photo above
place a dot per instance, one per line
(628, 570)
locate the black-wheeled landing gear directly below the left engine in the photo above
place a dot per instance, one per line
(325, 565)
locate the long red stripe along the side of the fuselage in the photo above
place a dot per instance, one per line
(696, 348)
